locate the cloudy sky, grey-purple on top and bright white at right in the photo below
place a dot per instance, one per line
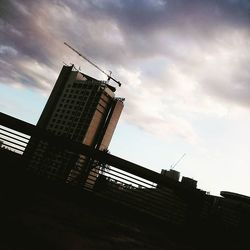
(184, 66)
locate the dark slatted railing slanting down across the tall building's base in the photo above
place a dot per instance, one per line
(104, 174)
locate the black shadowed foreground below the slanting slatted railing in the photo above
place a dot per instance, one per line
(40, 214)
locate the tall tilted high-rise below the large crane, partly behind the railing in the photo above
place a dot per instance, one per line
(81, 109)
